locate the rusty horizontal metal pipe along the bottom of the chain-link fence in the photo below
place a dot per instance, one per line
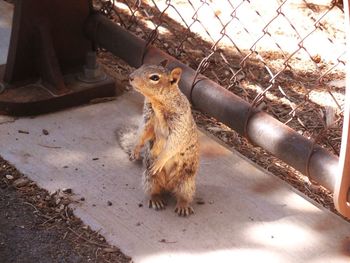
(209, 97)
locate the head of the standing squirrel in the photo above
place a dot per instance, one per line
(155, 80)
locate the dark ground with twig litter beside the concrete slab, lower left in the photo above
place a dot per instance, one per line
(37, 227)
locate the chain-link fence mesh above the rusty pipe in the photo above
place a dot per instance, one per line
(284, 57)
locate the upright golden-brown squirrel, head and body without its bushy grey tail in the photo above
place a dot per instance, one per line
(170, 138)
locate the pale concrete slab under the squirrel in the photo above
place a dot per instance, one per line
(248, 215)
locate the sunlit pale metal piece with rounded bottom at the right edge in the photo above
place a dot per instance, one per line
(342, 186)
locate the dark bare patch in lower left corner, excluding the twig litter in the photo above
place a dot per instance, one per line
(21, 238)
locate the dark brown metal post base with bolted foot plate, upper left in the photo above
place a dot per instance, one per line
(47, 51)
